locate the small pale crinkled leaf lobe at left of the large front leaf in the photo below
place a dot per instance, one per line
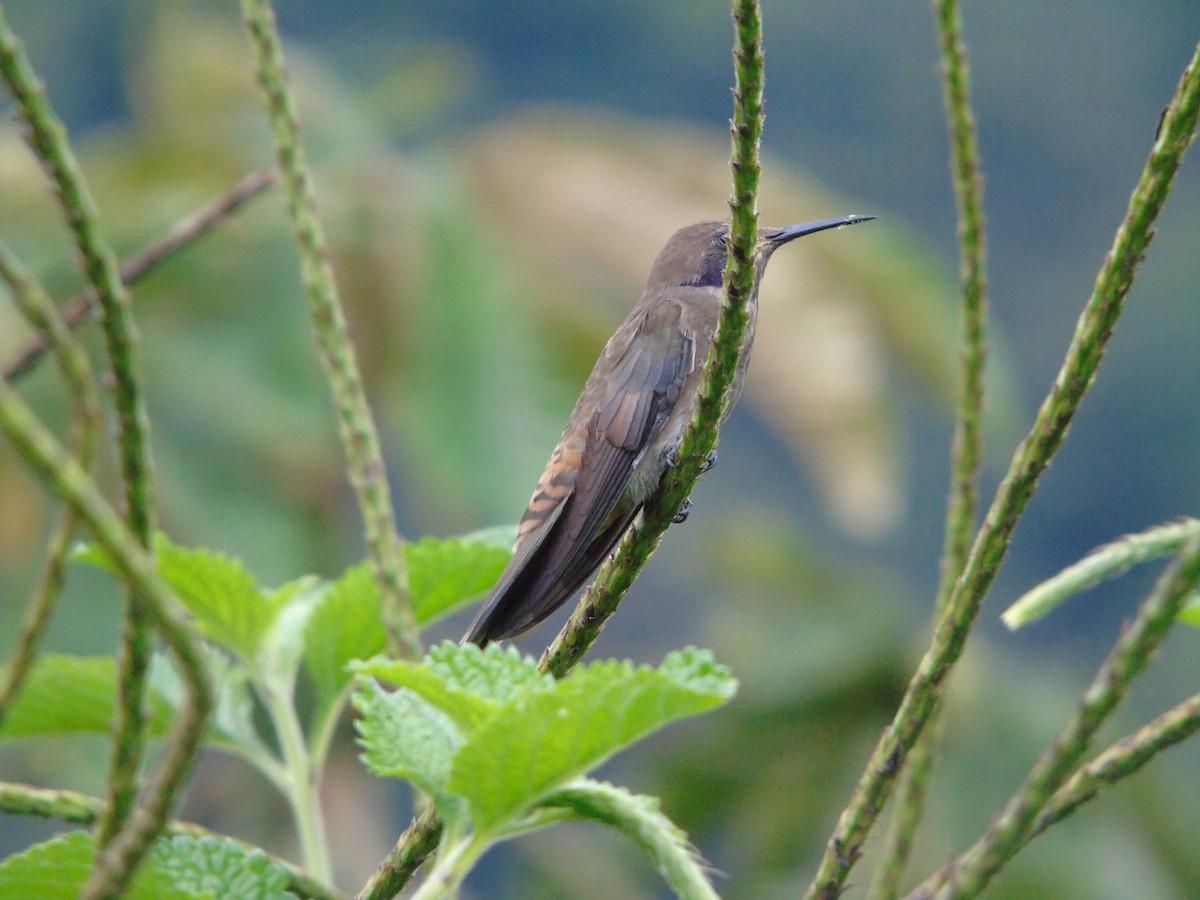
(405, 736)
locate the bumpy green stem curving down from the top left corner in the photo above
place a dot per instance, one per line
(47, 136)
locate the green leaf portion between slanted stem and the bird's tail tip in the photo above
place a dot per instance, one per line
(445, 573)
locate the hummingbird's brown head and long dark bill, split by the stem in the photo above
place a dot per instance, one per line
(695, 256)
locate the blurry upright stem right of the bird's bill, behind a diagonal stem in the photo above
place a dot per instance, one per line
(967, 452)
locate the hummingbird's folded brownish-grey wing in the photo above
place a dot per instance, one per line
(577, 514)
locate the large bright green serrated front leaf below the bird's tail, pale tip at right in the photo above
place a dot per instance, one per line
(539, 743)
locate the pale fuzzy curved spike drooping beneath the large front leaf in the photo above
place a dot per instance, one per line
(641, 820)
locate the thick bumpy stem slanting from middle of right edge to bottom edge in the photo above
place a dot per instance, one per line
(971, 873)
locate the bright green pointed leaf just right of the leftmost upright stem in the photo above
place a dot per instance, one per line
(221, 595)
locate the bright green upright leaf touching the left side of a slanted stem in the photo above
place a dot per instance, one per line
(345, 626)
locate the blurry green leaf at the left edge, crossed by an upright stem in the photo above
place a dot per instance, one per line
(73, 695)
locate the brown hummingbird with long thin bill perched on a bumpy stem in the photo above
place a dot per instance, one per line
(627, 427)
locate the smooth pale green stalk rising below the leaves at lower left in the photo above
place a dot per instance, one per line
(302, 783)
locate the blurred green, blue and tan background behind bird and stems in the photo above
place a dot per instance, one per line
(497, 179)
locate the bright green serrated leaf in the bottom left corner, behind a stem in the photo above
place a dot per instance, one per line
(58, 869)
